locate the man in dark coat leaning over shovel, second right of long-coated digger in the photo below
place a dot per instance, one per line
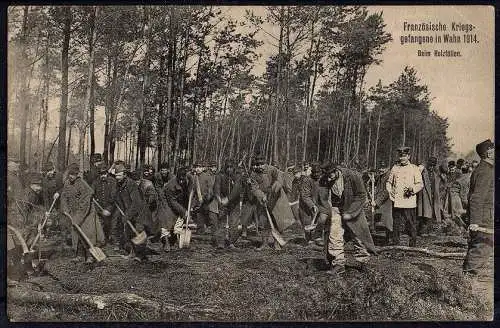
(135, 209)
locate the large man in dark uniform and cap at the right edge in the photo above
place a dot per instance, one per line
(481, 204)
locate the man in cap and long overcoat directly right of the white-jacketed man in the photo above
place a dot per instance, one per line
(428, 201)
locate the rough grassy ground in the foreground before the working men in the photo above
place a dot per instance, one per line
(205, 284)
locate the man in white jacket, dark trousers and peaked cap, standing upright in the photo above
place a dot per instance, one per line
(404, 182)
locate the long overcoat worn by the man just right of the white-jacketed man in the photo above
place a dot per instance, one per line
(428, 200)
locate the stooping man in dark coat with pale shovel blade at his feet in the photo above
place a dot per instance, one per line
(176, 193)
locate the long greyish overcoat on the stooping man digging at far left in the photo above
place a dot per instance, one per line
(76, 199)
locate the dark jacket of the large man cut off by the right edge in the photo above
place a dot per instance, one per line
(481, 195)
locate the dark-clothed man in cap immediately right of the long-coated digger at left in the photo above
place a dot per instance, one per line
(105, 194)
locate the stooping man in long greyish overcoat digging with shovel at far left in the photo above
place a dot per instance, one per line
(76, 200)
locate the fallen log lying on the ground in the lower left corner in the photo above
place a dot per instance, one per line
(26, 295)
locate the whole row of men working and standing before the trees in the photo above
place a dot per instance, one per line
(112, 204)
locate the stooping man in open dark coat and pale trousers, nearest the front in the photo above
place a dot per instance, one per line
(348, 230)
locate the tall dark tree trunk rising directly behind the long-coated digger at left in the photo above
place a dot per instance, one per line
(64, 88)
